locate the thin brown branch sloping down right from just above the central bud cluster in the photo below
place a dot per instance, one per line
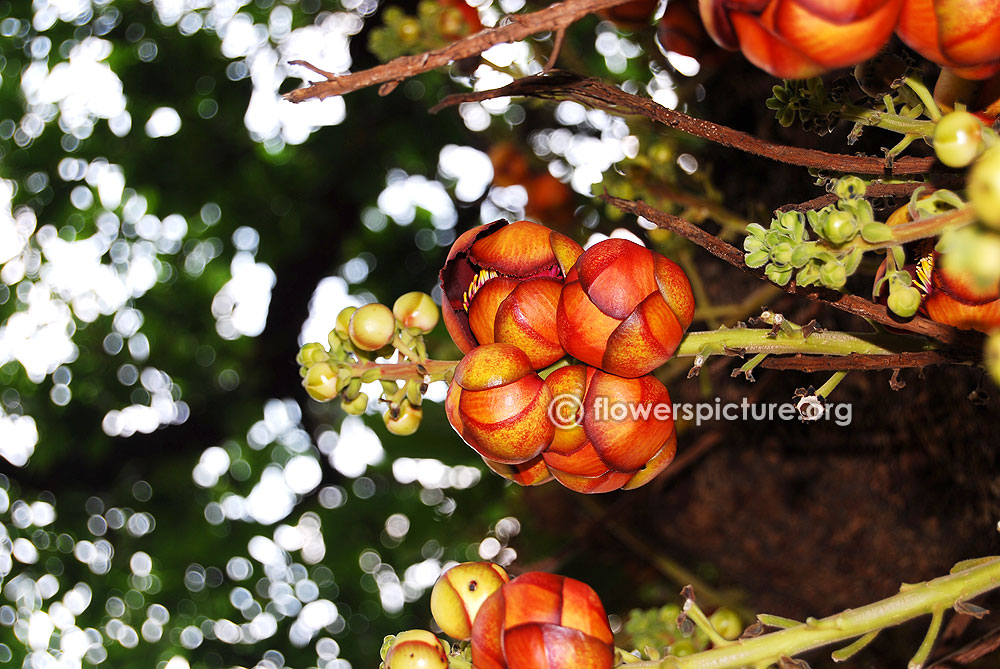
(854, 304)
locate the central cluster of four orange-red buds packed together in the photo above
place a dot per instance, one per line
(518, 298)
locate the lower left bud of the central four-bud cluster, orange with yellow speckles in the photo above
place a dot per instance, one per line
(499, 405)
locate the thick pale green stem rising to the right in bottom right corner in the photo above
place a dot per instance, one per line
(911, 602)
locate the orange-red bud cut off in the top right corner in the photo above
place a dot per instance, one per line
(960, 34)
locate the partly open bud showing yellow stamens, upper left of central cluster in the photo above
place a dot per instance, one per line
(484, 267)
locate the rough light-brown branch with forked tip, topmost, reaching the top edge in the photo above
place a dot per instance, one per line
(555, 17)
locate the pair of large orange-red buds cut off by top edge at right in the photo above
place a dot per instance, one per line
(795, 39)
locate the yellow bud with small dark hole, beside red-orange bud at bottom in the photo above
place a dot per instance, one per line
(460, 591)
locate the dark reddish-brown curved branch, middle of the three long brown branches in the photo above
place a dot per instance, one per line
(599, 95)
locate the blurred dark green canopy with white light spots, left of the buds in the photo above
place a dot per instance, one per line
(170, 232)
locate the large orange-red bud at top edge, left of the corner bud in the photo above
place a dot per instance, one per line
(795, 39)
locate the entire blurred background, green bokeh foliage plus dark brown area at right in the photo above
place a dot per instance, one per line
(171, 232)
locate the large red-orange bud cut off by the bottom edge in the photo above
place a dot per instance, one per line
(545, 621)
